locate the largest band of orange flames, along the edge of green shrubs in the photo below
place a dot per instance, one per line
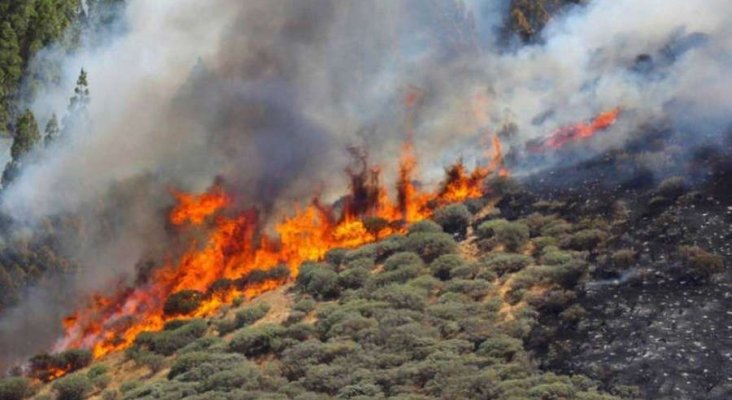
(239, 259)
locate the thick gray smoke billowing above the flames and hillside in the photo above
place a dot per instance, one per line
(265, 95)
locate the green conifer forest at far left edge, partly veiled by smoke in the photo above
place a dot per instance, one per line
(26, 27)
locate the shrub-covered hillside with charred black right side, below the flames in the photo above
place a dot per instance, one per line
(548, 296)
